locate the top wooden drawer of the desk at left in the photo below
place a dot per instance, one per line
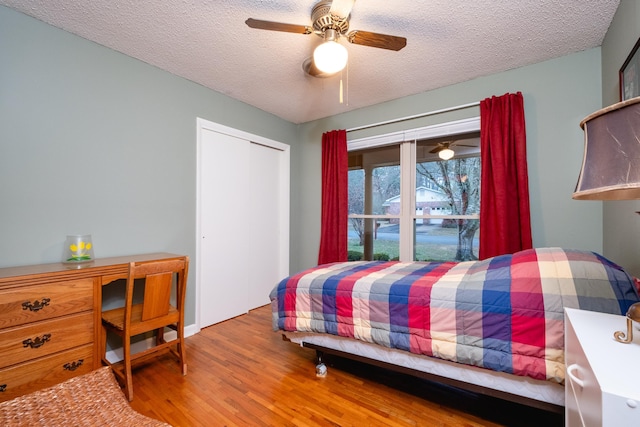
(38, 302)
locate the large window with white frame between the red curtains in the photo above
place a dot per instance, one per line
(406, 203)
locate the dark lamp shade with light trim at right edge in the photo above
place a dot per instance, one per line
(611, 162)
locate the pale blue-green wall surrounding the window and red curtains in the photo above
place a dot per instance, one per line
(558, 94)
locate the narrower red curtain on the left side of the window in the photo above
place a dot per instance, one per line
(335, 209)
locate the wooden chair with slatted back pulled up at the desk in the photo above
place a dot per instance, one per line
(155, 313)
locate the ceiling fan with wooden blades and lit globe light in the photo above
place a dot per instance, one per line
(330, 20)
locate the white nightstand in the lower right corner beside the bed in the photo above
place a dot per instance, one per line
(602, 386)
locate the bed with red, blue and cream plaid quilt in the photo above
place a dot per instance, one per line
(494, 326)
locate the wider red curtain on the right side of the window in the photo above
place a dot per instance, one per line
(505, 224)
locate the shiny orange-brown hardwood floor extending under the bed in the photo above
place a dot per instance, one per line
(241, 373)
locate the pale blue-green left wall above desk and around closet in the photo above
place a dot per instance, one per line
(93, 141)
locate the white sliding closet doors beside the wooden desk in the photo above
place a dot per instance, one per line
(243, 221)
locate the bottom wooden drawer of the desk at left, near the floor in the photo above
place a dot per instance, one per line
(27, 377)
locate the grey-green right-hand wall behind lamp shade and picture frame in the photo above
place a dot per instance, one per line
(621, 223)
